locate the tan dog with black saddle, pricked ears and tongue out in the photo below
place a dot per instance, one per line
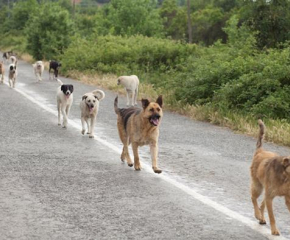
(140, 127)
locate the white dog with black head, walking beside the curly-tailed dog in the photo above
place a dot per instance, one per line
(64, 101)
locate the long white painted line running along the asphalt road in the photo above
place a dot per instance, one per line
(205, 200)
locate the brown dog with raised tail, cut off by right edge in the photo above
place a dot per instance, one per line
(272, 172)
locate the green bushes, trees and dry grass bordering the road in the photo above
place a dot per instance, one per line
(222, 61)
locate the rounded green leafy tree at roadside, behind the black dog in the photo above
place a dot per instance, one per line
(49, 31)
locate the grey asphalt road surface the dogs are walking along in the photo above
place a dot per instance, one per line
(58, 184)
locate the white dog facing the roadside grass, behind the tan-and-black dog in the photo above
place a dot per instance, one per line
(131, 84)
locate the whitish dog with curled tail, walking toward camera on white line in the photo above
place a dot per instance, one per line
(89, 110)
